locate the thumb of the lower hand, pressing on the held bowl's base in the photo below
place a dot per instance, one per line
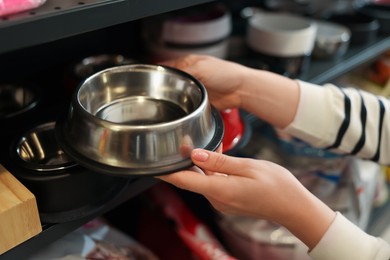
(217, 162)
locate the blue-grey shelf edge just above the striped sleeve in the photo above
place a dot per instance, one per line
(324, 71)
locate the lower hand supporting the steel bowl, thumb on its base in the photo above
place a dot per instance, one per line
(256, 188)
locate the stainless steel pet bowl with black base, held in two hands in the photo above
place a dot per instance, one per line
(139, 120)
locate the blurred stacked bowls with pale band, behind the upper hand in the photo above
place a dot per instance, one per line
(202, 30)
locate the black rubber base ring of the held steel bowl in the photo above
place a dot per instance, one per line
(147, 171)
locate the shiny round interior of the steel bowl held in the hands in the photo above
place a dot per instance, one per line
(139, 96)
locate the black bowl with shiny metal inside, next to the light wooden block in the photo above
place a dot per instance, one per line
(64, 190)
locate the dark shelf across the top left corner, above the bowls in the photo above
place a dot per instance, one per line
(58, 19)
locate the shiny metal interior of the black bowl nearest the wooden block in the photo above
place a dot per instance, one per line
(38, 149)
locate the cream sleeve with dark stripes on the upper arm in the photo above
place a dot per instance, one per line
(344, 120)
